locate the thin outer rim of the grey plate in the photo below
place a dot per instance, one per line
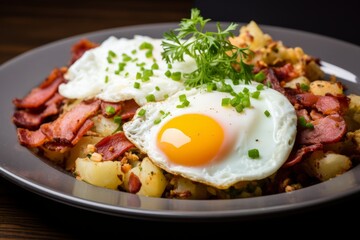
(130, 212)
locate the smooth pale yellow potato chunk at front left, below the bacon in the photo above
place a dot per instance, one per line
(106, 174)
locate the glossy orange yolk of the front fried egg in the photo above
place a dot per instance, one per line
(191, 139)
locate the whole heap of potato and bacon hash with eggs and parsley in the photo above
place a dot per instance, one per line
(193, 115)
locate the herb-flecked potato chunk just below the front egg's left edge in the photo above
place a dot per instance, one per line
(153, 181)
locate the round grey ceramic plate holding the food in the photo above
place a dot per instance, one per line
(17, 164)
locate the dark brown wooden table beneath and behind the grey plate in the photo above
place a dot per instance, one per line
(25, 25)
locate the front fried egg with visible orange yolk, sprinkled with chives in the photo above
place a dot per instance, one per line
(208, 142)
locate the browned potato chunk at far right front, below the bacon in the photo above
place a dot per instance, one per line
(326, 165)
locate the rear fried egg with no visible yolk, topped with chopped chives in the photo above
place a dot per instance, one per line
(123, 69)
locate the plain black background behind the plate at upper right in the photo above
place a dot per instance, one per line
(336, 19)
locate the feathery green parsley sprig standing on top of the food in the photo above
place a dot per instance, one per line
(216, 58)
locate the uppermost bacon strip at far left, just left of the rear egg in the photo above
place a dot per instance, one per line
(40, 95)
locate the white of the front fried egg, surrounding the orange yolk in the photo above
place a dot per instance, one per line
(273, 136)
